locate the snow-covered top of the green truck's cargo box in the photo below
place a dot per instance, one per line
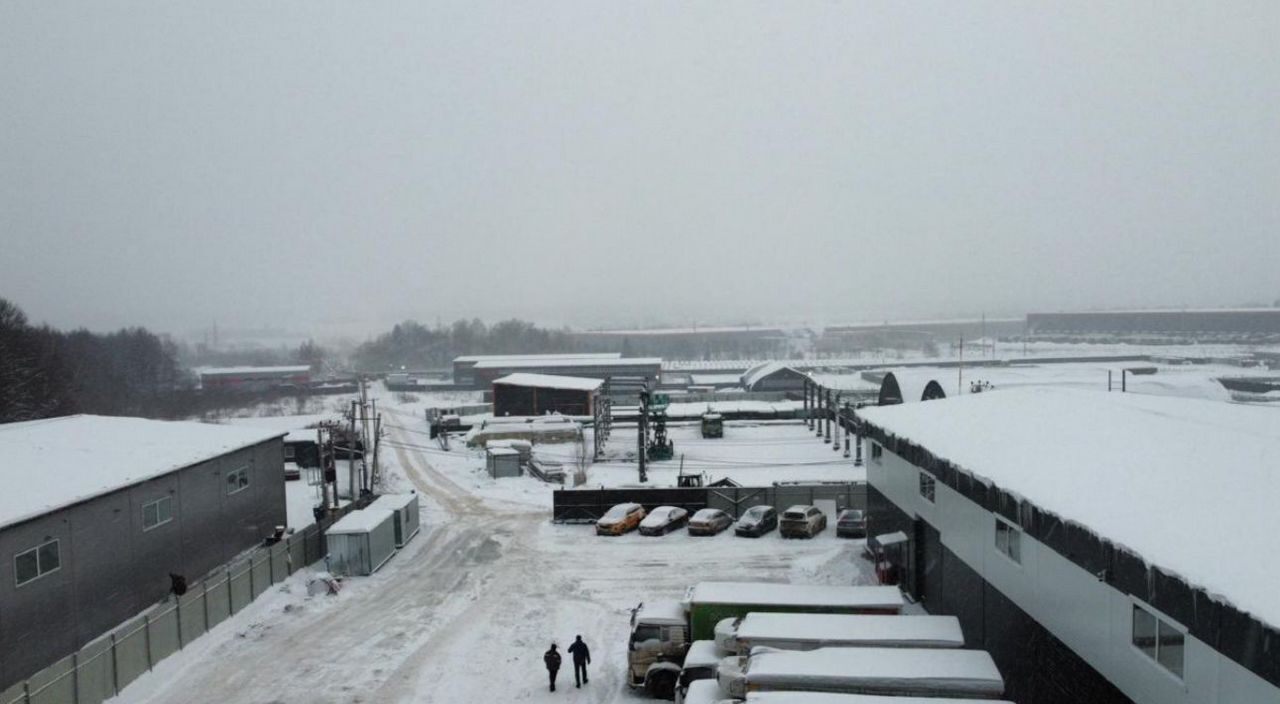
(796, 595)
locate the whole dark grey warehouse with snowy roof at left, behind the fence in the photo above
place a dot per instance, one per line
(99, 513)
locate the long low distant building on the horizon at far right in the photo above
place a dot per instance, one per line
(1242, 326)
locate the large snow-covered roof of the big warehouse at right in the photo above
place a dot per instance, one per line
(1122, 465)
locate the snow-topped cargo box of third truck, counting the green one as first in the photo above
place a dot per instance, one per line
(879, 669)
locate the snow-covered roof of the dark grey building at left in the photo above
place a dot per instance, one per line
(57, 463)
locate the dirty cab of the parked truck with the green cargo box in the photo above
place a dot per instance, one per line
(657, 647)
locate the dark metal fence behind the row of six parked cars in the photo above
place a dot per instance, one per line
(584, 506)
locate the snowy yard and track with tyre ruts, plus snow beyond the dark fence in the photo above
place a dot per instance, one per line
(465, 612)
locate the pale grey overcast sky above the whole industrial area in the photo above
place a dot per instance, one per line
(350, 164)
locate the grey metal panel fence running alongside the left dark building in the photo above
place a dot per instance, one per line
(100, 670)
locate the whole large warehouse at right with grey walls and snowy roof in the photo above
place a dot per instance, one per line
(1105, 548)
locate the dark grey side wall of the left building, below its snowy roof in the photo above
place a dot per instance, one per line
(112, 569)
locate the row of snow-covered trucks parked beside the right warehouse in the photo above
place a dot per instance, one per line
(792, 644)
